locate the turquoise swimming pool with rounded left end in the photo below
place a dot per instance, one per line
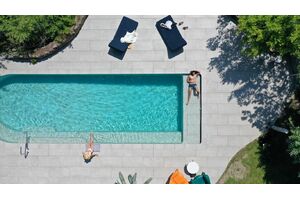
(116, 108)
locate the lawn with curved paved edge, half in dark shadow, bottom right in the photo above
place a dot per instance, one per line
(265, 160)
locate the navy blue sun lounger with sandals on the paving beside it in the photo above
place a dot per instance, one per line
(172, 38)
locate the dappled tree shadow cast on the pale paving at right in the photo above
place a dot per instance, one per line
(262, 84)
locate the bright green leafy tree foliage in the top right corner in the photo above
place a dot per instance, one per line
(275, 35)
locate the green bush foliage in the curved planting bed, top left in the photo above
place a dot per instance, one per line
(20, 35)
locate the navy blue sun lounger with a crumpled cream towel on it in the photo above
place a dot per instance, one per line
(126, 25)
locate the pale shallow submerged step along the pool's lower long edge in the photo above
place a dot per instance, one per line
(48, 135)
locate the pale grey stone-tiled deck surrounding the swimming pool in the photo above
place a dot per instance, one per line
(223, 130)
